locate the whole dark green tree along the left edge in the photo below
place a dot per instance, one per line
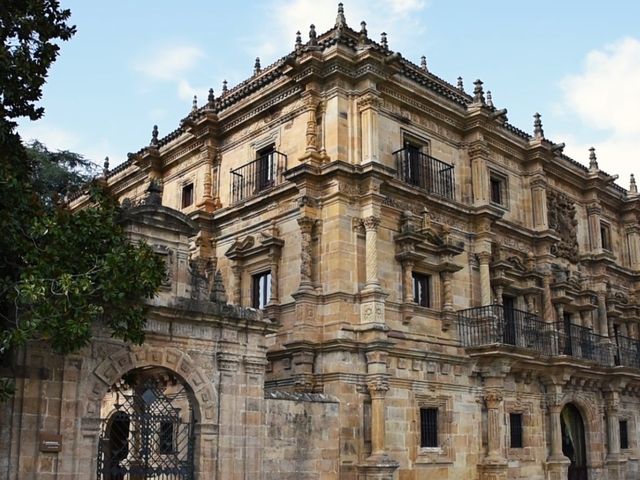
(60, 271)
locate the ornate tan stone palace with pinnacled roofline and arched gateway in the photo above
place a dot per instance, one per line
(371, 275)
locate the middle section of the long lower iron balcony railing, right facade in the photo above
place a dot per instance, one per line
(580, 342)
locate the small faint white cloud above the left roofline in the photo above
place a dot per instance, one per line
(170, 63)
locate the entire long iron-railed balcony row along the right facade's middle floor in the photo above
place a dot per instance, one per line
(494, 325)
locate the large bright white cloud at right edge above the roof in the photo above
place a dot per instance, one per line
(605, 97)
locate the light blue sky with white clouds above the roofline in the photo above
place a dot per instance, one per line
(133, 64)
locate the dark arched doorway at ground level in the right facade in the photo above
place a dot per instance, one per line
(573, 442)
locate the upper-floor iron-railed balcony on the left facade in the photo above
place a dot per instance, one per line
(257, 176)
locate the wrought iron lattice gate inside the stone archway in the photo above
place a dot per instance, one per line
(148, 436)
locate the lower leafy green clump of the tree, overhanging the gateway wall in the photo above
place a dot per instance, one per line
(82, 269)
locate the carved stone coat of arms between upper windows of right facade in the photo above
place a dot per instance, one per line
(561, 212)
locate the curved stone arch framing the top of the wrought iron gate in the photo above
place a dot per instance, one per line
(114, 366)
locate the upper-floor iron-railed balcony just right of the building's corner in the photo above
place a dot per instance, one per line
(425, 172)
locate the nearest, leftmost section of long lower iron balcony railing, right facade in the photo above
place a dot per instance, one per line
(494, 324)
